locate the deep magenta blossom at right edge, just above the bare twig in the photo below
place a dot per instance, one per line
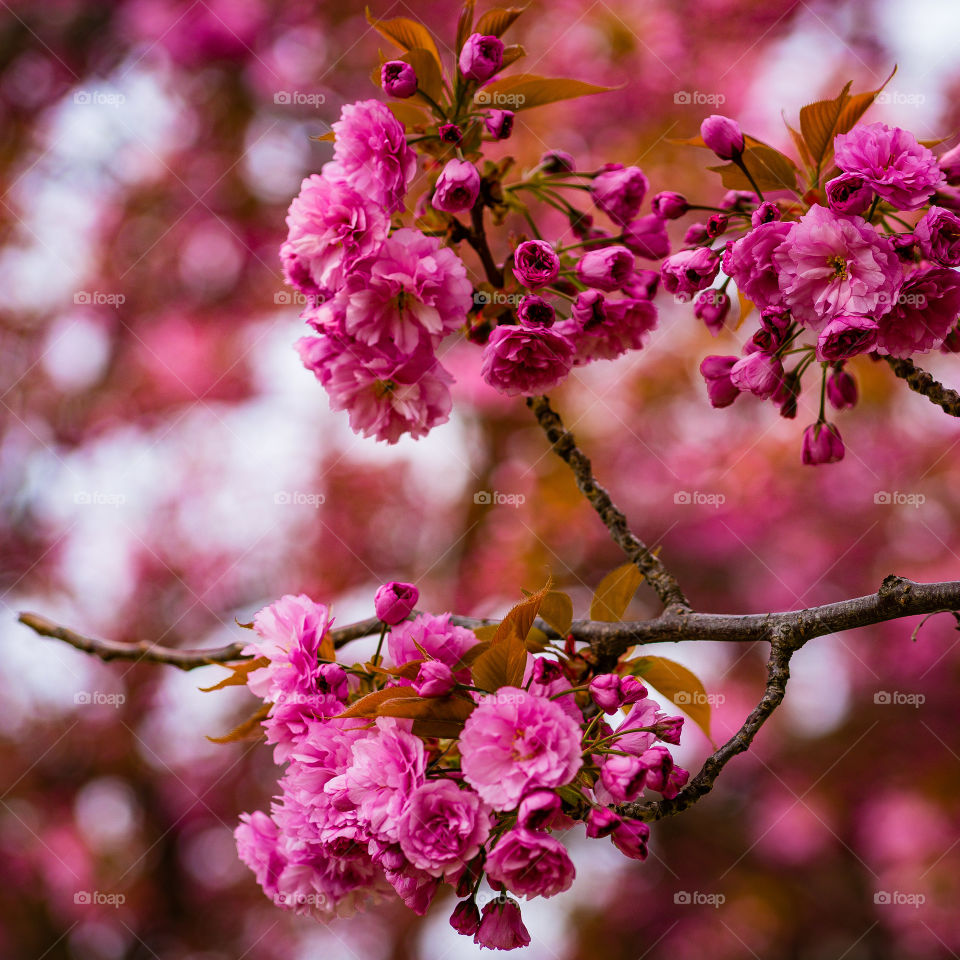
(926, 310)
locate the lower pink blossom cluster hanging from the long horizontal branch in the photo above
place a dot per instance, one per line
(378, 802)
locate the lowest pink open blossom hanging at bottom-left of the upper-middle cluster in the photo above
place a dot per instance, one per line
(386, 394)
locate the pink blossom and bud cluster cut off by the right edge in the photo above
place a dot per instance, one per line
(866, 264)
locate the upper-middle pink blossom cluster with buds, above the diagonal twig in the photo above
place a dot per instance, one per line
(379, 261)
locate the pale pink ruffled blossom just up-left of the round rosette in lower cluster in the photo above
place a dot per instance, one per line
(383, 774)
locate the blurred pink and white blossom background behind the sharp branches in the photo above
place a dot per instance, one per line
(167, 466)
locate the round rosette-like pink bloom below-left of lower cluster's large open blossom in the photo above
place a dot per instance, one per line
(443, 827)
